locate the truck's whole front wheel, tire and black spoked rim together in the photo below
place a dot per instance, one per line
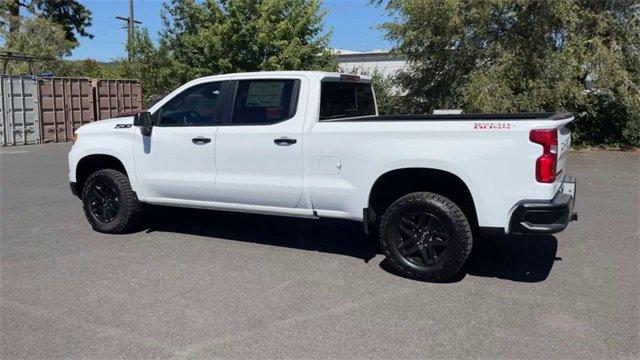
(109, 203)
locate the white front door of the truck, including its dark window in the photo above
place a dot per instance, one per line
(177, 161)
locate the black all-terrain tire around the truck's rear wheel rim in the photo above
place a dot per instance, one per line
(451, 219)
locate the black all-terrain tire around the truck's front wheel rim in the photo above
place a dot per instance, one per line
(128, 211)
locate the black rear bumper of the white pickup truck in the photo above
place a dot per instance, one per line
(546, 217)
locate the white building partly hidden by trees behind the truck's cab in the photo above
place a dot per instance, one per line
(368, 62)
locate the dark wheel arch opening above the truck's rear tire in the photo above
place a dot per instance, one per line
(398, 182)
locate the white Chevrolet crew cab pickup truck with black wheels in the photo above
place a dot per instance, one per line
(311, 144)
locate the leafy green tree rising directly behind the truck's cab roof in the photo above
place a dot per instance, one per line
(222, 36)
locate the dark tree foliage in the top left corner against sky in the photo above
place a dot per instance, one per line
(70, 14)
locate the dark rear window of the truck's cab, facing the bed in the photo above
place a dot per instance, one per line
(345, 99)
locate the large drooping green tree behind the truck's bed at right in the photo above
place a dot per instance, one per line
(519, 55)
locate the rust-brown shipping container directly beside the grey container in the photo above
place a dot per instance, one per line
(65, 105)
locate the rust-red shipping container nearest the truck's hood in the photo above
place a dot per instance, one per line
(116, 96)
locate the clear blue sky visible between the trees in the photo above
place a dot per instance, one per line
(354, 24)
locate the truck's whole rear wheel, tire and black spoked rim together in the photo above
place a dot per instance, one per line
(426, 236)
